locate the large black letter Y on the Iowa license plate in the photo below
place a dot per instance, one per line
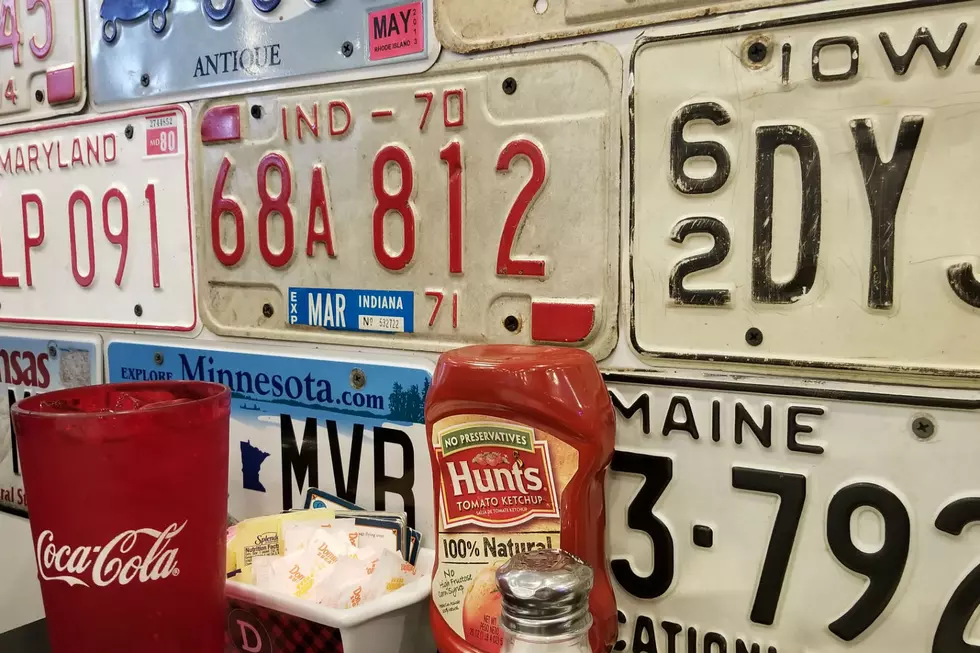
(884, 184)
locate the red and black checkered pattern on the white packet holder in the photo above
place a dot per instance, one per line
(277, 632)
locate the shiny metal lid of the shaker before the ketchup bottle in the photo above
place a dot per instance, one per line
(545, 593)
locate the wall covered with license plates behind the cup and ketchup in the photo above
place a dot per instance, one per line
(757, 215)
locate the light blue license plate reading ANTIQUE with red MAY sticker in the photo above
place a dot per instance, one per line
(193, 49)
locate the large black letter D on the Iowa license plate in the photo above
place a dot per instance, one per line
(764, 288)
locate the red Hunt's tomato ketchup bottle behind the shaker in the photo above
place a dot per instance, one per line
(520, 439)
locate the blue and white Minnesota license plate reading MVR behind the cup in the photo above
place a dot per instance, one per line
(353, 427)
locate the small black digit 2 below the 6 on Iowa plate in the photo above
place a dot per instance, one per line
(699, 262)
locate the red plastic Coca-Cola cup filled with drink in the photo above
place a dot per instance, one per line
(127, 496)
